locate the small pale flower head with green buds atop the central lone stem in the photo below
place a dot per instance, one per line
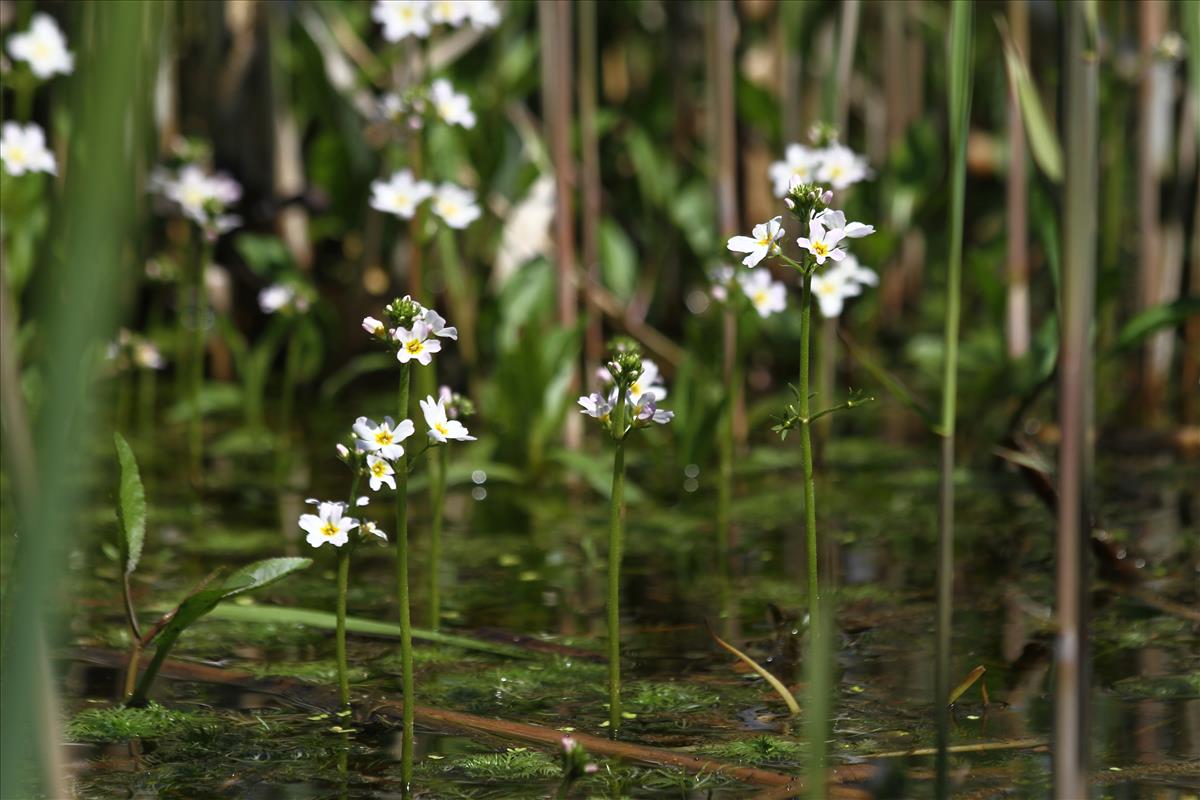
(632, 394)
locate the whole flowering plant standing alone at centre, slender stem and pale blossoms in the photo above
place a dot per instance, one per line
(631, 402)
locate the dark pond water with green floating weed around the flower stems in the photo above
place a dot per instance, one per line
(531, 562)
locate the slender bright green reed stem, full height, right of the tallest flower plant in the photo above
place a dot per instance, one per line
(961, 112)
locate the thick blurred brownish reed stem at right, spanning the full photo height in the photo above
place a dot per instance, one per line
(1071, 757)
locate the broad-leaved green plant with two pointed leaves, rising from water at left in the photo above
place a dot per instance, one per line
(131, 513)
